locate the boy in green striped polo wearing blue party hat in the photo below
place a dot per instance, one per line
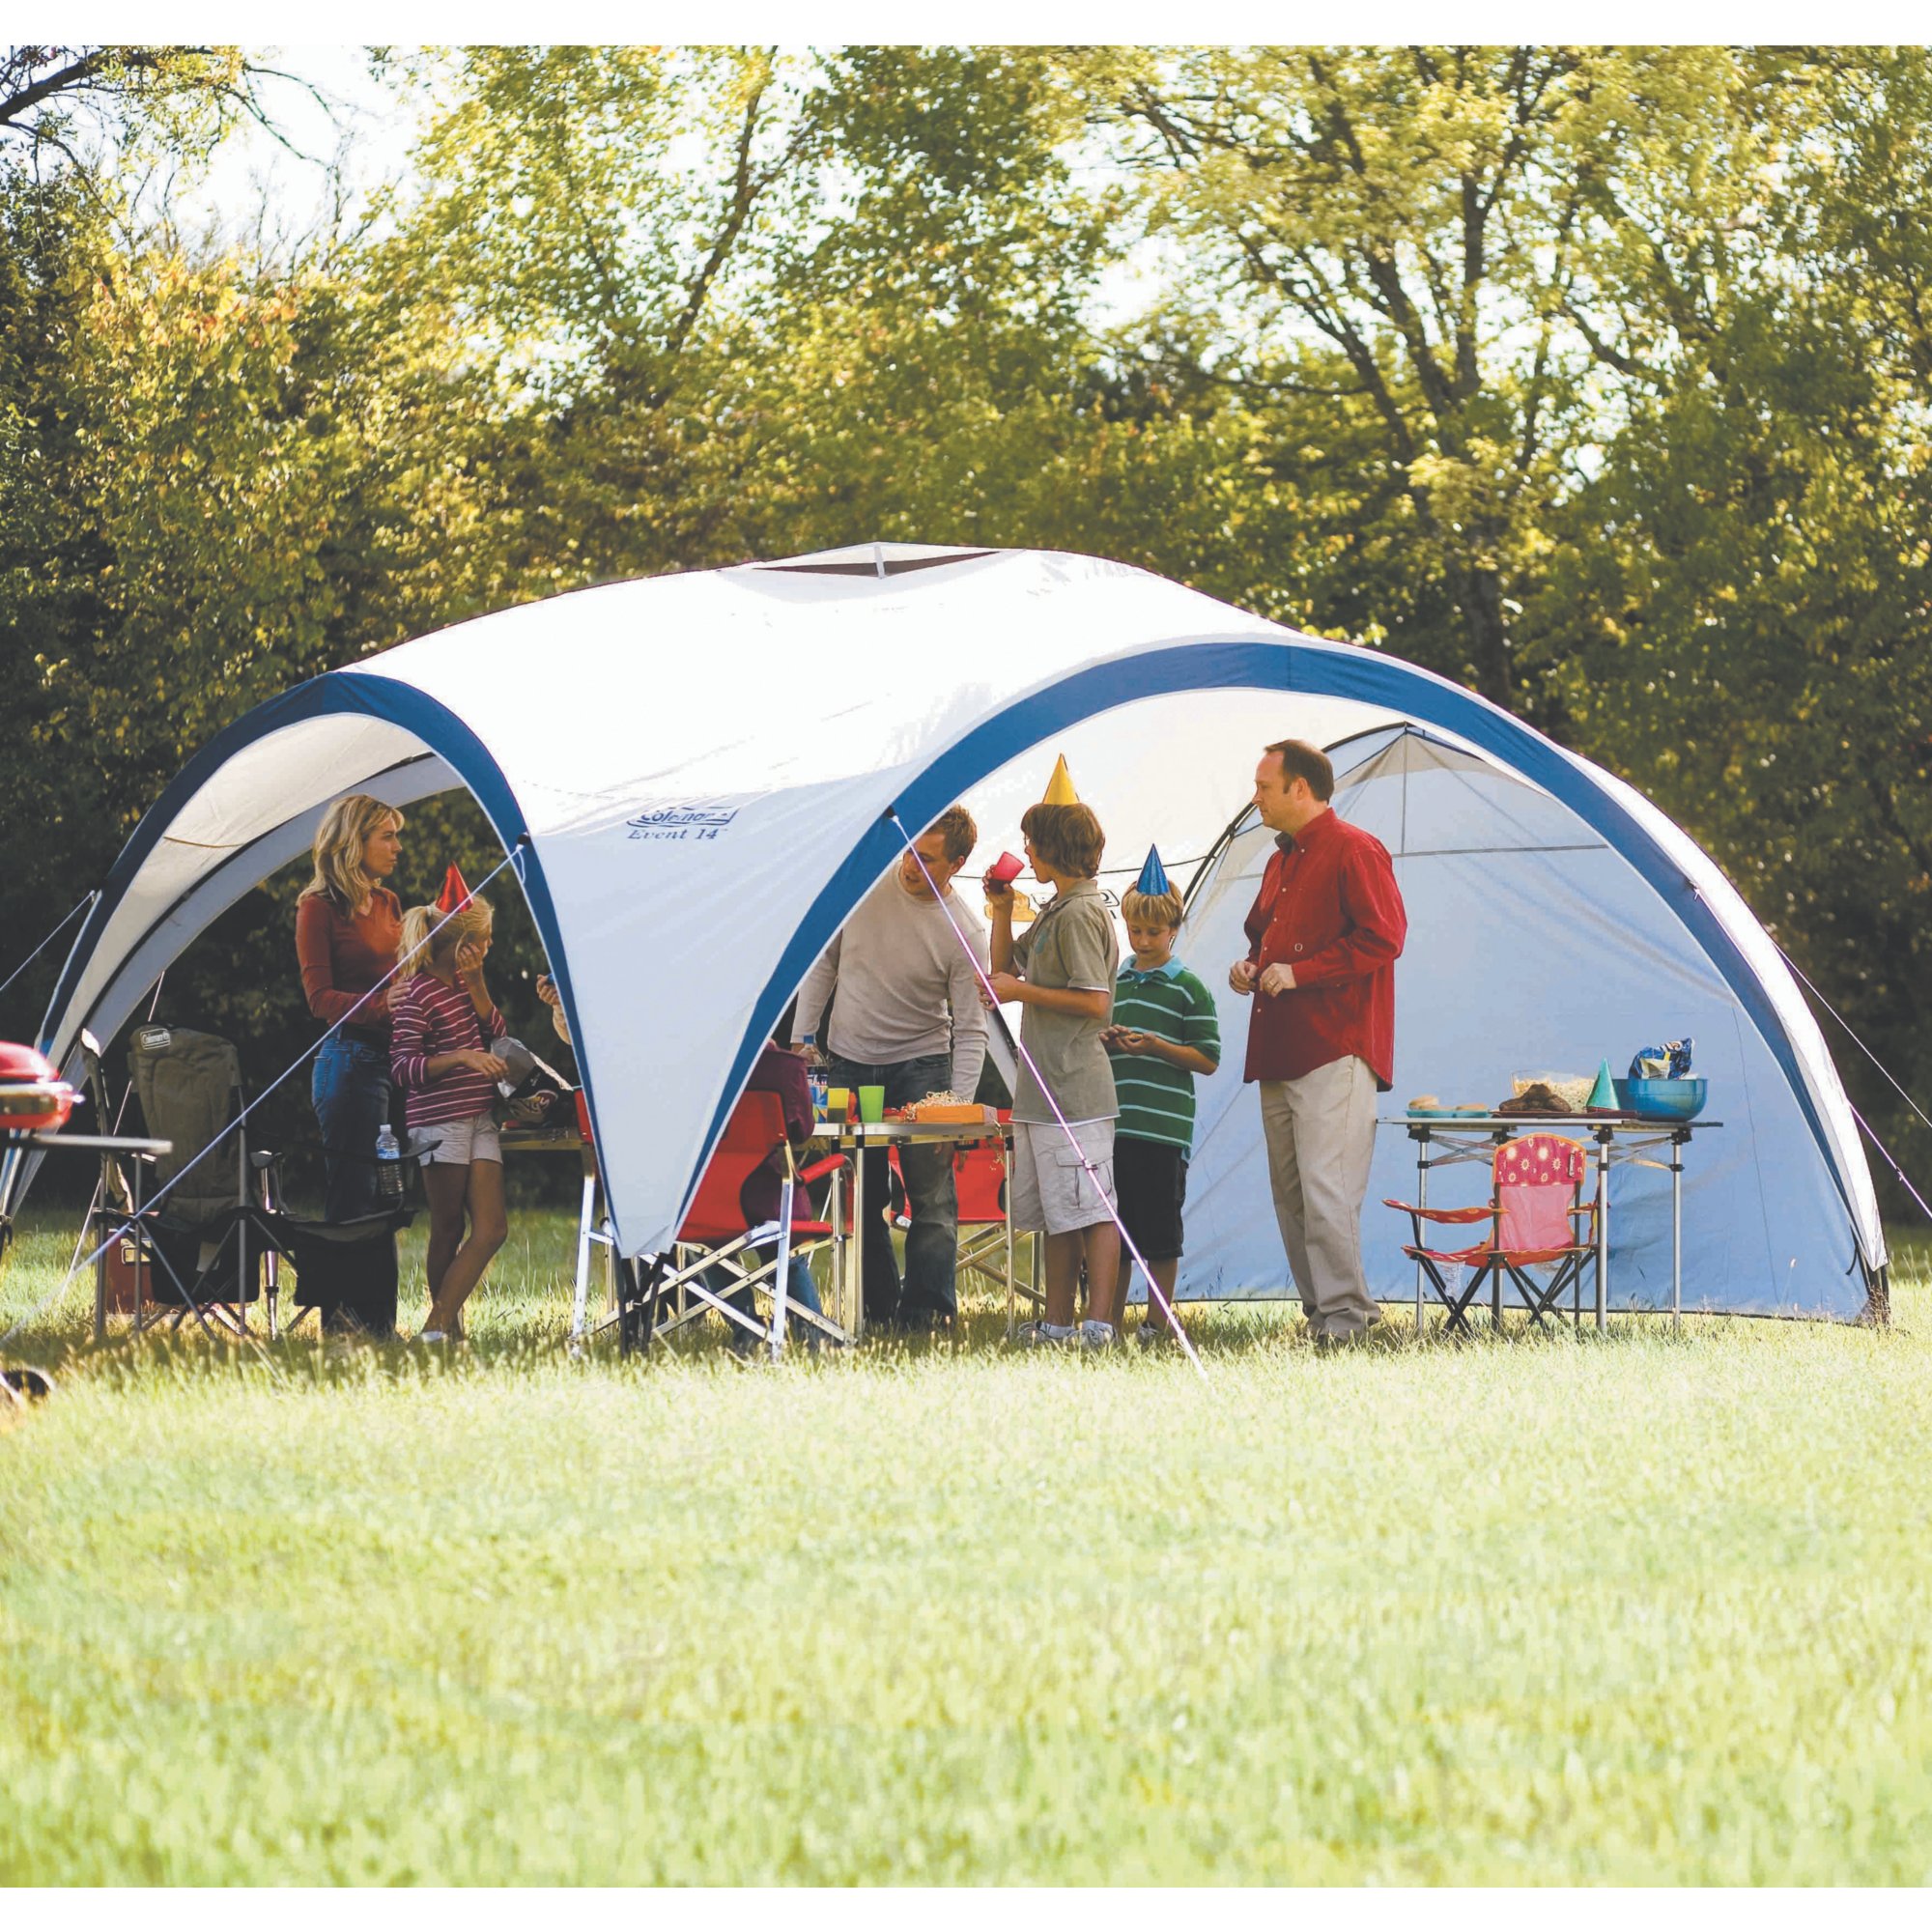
(1164, 1035)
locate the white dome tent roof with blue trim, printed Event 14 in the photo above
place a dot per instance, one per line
(702, 776)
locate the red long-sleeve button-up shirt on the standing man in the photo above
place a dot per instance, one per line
(1330, 911)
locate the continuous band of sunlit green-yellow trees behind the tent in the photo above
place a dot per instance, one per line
(1595, 378)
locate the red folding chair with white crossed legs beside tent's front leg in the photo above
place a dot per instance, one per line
(671, 1293)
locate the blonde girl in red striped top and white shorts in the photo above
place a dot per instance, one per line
(443, 1021)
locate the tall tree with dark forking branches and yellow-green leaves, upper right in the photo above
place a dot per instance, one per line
(1396, 239)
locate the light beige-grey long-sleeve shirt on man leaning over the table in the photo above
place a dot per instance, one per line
(905, 984)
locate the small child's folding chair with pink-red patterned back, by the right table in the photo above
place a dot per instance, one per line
(1533, 1214)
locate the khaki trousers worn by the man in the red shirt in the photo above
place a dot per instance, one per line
(1321, 1139)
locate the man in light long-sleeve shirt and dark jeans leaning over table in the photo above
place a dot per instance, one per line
(905, 1015)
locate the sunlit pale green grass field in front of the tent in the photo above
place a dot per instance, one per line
(1651, 1608)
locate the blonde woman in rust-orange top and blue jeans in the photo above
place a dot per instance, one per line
(349, 930)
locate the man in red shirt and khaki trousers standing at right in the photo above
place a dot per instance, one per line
(1324, 936)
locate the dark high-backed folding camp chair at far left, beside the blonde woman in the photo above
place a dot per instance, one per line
(219, 1230)
